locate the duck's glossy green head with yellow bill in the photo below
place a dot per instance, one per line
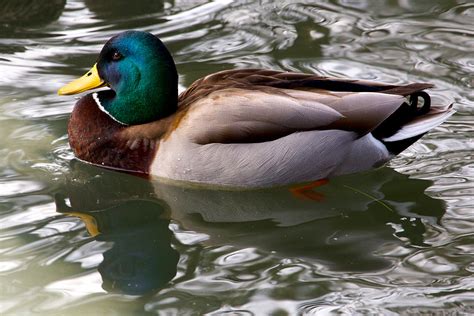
(141, 74)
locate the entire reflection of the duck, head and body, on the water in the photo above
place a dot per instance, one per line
(350, 219)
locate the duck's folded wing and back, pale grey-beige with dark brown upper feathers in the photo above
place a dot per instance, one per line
(247, 106)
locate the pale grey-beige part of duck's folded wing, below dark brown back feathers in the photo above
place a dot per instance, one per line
(238, 115)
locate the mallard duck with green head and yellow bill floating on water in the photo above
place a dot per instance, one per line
(241, 127)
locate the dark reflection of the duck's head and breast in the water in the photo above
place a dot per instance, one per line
(142, 258)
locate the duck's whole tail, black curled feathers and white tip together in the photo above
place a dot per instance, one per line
(410, 122)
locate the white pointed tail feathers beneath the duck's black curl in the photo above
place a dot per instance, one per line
(420, 126)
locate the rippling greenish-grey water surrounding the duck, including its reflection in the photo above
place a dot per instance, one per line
(76, 239)
